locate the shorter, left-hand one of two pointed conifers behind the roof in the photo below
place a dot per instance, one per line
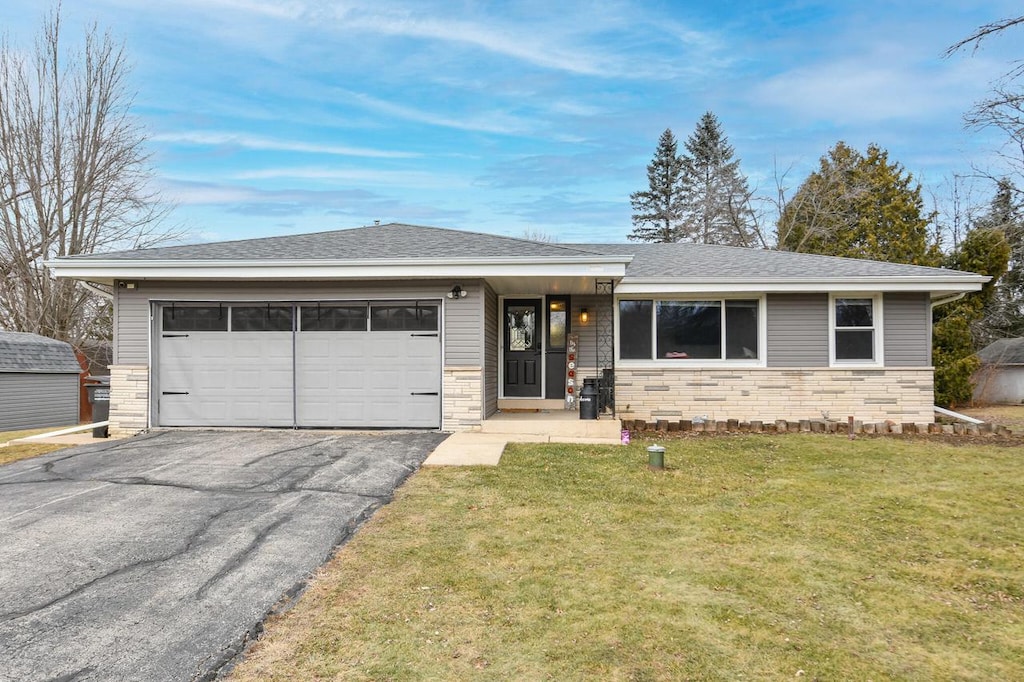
(658, 210)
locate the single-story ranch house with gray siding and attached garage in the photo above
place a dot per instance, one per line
(403, 326)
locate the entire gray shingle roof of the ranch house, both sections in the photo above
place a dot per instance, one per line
(397, 241)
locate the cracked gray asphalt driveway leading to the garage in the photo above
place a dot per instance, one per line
(158, 558)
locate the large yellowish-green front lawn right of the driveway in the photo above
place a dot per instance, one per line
(751, 558)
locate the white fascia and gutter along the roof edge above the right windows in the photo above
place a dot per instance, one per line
(935, 285)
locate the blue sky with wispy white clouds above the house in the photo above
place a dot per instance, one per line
(274, 117)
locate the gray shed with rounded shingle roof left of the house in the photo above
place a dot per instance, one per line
(39, 379)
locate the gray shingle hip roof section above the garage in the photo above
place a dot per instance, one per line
(376, 243)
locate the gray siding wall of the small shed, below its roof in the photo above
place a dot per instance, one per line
(38, 401)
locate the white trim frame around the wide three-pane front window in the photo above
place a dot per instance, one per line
(685, 363)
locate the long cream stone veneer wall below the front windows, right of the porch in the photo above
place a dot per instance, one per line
(902, 395)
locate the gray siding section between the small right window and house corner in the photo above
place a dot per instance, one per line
(907, 328)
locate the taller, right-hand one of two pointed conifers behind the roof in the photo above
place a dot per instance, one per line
(715, 194)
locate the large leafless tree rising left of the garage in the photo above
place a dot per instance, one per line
(74, 177)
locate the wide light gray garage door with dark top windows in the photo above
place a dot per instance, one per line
(318, 365)
